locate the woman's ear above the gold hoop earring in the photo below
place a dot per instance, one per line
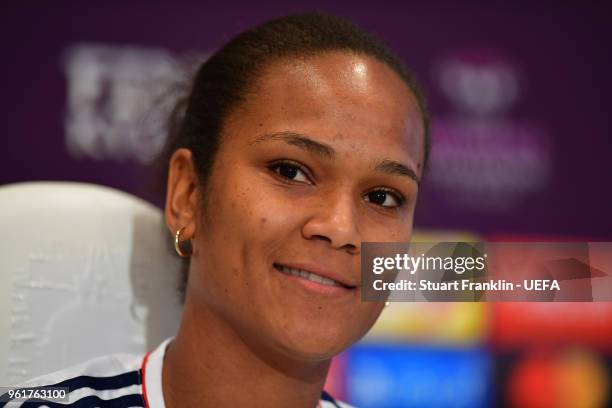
(181, 196)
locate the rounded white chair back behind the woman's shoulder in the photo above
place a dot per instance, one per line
(85, 270)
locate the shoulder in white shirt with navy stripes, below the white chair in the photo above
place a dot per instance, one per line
(114, 378)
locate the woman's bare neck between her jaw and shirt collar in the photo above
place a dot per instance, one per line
(209, 365)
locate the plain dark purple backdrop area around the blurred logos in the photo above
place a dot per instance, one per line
(556, 126)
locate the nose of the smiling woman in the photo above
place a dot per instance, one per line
(335, 220)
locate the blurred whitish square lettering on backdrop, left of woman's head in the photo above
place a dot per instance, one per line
(119, 99)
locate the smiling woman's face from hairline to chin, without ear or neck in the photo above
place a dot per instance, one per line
(324, 154)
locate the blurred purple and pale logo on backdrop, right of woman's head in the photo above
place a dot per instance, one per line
(484, 157)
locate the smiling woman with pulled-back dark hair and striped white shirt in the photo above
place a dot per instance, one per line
(301, 138)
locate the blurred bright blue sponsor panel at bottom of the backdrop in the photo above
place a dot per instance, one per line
(418, 376)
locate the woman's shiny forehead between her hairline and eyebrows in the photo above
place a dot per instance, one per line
(337, 97)
